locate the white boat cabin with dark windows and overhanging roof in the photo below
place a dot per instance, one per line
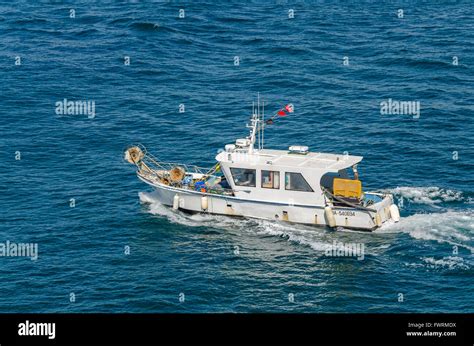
(297, 175)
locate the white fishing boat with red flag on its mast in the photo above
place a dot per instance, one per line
(294, 185)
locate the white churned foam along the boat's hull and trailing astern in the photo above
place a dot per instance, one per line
(454, 228)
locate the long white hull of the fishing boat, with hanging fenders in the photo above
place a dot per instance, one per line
(347, 217)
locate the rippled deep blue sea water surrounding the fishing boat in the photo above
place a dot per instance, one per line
(201, 263)
